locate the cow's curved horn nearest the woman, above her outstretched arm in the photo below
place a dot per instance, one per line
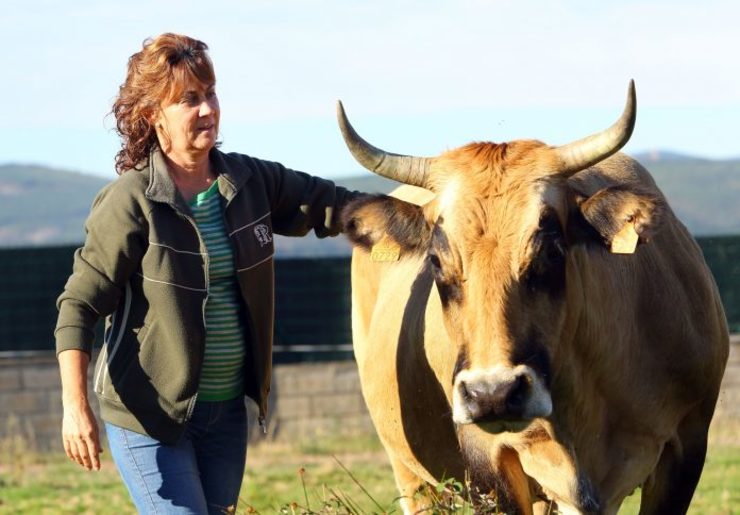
(406, 169)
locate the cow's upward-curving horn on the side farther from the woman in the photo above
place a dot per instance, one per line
(588, 151)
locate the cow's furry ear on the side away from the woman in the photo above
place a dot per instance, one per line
(618, 210)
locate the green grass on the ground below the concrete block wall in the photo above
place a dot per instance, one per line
(347, 476)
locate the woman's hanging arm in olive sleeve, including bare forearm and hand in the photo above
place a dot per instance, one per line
(112, 251)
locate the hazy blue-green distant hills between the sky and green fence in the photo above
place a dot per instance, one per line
(44, 206)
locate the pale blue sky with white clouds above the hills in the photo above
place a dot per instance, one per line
(415, 76)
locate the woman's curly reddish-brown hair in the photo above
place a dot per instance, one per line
(156, 75)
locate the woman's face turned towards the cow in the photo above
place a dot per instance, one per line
(188, 124)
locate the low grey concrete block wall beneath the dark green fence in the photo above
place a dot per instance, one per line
(308, 400)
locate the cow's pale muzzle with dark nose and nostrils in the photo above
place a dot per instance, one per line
(507, 397)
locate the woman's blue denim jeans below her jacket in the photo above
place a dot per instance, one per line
(200, 474)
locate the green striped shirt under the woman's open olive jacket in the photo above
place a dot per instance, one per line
(222, 375)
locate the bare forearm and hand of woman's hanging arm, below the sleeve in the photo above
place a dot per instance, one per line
(80, 432)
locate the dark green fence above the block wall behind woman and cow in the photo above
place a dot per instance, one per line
(313, 299)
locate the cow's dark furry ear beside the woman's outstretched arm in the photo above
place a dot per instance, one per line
(369, 219)
